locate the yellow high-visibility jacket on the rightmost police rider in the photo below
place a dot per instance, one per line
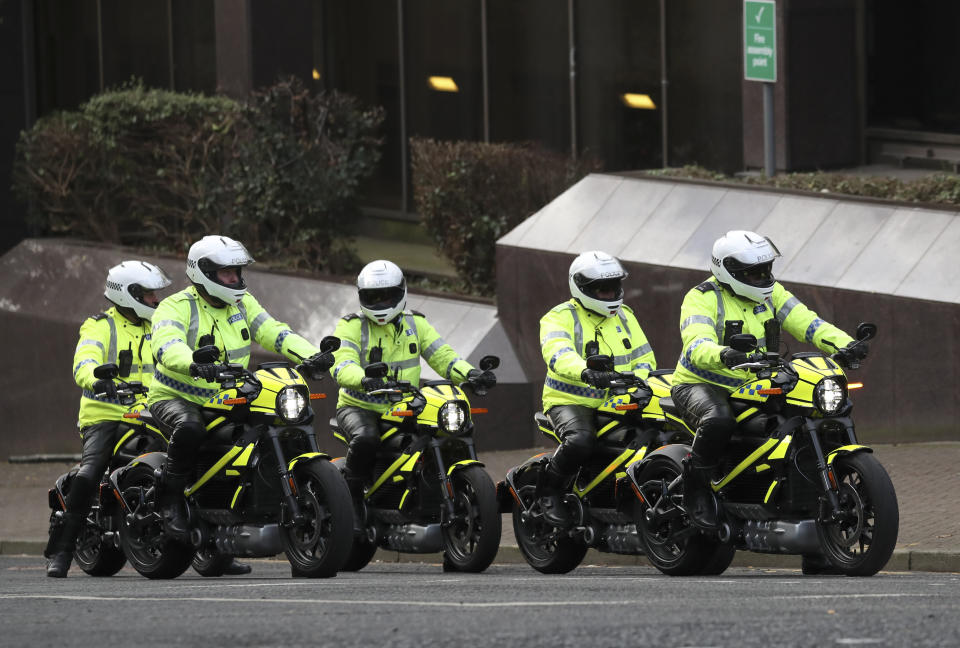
(703, 315)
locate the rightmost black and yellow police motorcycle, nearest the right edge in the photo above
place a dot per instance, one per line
(794, 478)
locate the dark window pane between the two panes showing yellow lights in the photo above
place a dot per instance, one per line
(529, 72)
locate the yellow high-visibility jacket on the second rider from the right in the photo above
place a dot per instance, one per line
(564, 333)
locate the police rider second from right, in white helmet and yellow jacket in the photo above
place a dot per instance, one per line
(572, 392)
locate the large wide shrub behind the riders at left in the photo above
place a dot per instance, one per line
(158, 169)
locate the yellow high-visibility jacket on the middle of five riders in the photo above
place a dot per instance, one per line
(403, 341)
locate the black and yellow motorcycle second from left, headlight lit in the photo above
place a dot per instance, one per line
(261, 484)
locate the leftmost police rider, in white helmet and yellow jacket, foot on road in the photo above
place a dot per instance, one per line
(120, 335)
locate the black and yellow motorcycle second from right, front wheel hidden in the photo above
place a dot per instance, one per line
(629, 423)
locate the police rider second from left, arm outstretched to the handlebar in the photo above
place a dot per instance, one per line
(218, 310)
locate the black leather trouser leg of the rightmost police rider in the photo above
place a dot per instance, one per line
(706, 409)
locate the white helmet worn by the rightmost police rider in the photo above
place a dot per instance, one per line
(744, 261)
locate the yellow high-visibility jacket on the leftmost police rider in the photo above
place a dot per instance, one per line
(102, 337)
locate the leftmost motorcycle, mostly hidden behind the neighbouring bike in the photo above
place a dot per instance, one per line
(98, 550)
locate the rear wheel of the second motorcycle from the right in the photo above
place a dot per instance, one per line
(544, 547)
